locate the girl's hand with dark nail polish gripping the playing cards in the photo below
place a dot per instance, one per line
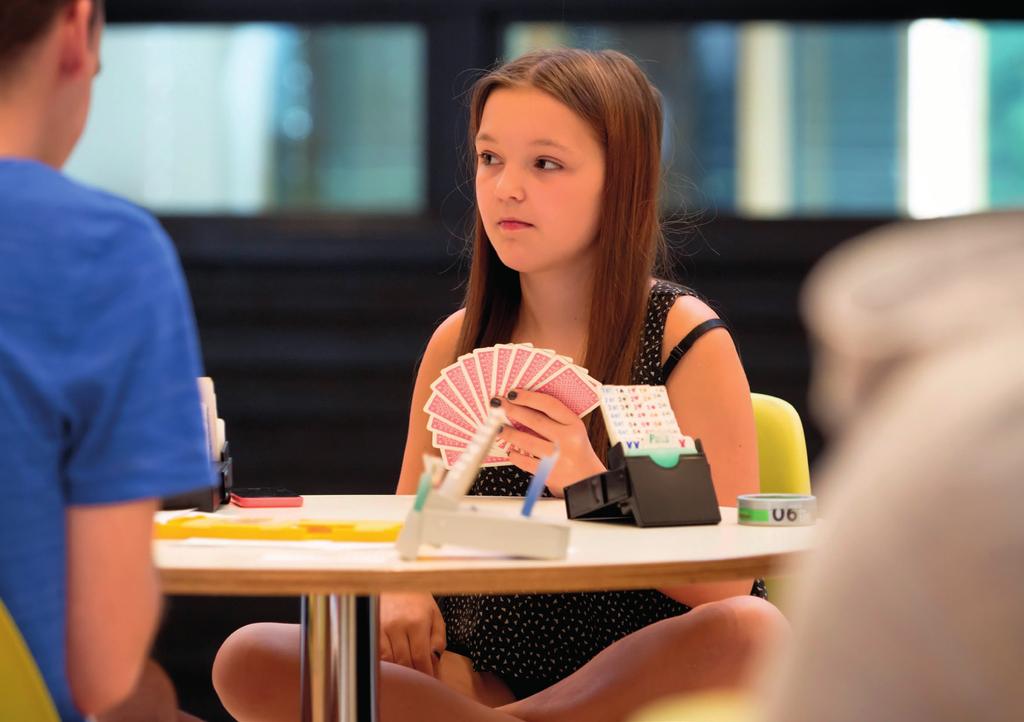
(553, 422)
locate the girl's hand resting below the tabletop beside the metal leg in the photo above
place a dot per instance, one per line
(412, 631)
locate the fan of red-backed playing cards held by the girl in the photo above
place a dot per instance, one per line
(461, 396)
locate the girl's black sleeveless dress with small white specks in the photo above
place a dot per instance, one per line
(534, 641)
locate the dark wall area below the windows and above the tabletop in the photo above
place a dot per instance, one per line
(313, 338)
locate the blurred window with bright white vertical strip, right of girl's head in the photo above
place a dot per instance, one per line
(781, 119)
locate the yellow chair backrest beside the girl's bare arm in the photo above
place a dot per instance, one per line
(782, 447)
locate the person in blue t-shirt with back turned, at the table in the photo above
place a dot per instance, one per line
(100, 411)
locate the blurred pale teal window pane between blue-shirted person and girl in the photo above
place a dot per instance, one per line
(261, 118)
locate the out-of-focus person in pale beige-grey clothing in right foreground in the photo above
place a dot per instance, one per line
(911, 608)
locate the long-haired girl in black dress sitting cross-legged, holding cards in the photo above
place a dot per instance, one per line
(567, 244)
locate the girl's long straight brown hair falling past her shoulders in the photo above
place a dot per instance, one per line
(609, 92)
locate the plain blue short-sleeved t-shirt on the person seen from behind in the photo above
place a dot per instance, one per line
(99, 400)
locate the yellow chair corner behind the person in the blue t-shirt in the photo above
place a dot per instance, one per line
(23, 693)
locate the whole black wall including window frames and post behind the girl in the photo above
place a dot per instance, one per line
(312, 327)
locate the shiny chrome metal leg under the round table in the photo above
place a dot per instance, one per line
(340, 662)
